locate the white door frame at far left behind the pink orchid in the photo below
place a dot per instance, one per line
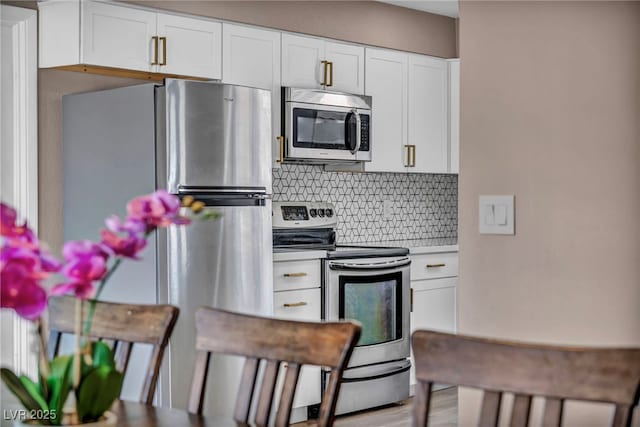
(23, 25)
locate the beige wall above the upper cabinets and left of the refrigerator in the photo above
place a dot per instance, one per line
(358, 21)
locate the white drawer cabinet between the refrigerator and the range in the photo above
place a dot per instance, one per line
(300, 300)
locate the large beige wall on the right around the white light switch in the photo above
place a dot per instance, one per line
(550, 112)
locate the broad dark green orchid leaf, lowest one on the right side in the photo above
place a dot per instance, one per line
(97, 392)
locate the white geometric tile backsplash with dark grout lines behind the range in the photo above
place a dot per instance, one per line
(423, 206)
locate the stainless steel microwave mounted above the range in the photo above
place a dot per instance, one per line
(325, 127)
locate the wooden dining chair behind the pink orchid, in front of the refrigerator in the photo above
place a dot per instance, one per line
(122, 326)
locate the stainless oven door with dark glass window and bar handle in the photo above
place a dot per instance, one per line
(376, 293)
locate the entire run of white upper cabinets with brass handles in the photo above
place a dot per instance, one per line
(415, 98)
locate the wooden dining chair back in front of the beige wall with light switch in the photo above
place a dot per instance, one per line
(554, 372)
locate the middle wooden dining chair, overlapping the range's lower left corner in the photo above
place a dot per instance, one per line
(275, 342)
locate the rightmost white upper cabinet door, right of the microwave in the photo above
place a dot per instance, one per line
(428, 114)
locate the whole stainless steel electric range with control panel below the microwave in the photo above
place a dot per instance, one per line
(365, 283)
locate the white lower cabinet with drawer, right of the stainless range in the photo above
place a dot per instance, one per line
(433, 295)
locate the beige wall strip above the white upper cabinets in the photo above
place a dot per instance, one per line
(366, 22)
